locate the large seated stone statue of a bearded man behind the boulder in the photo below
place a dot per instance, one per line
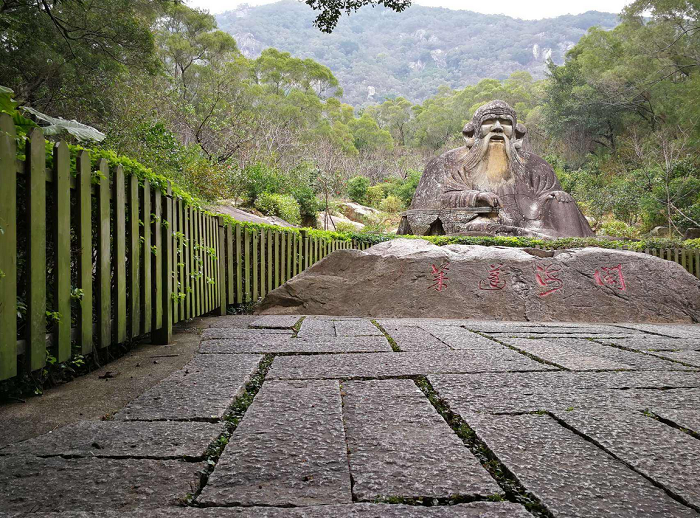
(492, 186)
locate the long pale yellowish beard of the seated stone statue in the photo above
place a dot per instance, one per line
(491, 164)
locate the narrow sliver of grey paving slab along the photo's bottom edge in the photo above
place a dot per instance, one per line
(359, 510)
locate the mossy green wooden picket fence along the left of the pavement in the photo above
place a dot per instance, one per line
(100, 258)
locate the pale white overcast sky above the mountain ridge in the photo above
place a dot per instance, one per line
(529, 10)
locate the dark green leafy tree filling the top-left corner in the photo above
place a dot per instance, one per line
(62, 55)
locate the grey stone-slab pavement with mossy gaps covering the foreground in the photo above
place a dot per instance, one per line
(347, 417)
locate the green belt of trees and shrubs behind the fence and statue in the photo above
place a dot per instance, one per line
(619, 120)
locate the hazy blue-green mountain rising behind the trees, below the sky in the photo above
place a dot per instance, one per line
(377, 53)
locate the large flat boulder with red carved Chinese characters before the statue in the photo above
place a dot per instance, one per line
(414, 278)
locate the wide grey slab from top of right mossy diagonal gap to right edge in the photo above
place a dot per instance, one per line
(533, 391)
